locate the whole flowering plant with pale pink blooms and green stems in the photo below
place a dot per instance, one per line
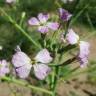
(57, 37)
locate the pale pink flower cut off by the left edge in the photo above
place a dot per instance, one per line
(4, 68)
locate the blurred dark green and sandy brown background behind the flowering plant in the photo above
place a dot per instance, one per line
(84, 23)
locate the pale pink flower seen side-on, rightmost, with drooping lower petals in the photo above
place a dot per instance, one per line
(73, 38)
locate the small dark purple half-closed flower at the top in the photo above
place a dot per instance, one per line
(64, 14)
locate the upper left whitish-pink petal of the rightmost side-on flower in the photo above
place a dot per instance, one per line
(72, 37)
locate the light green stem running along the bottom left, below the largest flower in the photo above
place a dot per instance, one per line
(19, 82)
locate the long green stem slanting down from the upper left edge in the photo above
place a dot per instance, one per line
(21, 29)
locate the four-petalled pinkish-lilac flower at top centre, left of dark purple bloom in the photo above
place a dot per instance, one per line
(42, 22)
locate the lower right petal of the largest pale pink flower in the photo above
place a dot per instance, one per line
(41, 71)
